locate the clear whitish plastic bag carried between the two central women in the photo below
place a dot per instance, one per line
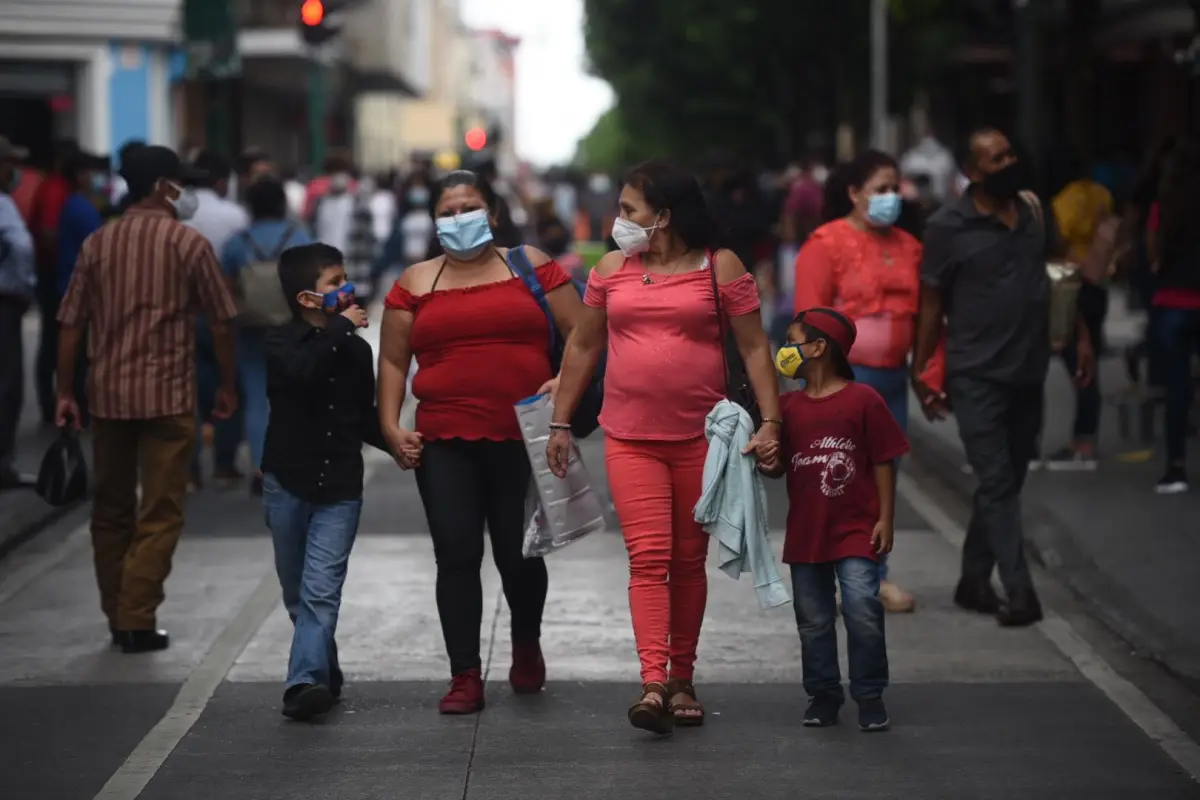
(561, 510)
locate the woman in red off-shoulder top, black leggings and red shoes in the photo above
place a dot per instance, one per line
(482, 344)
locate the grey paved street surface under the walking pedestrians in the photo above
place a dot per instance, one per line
(1054, 712)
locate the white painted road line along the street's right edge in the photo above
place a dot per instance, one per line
(1127, 697)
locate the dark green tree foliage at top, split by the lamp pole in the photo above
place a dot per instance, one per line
(754, 77)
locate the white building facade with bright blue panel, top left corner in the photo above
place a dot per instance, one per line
(98, 71)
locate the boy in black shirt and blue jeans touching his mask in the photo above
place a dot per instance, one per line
(321, 387)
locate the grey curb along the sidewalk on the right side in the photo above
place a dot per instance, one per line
(1053, 546)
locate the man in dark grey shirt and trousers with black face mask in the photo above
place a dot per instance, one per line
(985, 270)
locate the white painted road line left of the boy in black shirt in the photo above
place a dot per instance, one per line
(133, 778)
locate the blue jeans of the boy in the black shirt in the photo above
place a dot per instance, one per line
(313, 549)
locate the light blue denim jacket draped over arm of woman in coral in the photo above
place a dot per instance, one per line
(733, 506)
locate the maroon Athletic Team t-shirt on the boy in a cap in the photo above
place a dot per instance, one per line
(831, 447)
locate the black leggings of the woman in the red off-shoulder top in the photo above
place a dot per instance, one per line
(466, 484)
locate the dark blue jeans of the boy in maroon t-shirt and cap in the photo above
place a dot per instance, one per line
(817, 612)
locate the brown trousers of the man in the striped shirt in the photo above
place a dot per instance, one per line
(134, 546)
